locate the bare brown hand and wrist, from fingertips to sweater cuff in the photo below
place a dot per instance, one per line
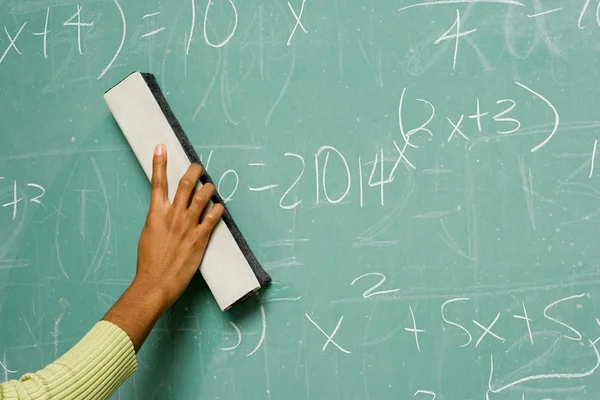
(171, 247)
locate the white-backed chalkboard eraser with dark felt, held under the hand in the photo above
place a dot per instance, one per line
(139, 107)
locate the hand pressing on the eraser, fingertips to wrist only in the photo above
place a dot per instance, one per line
(173, 242)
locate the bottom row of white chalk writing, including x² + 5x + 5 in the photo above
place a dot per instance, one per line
(474, 333)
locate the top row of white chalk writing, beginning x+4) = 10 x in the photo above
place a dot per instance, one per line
(78, 22)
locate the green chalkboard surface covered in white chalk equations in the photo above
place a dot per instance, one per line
(417, 177)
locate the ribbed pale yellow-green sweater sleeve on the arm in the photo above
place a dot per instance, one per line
(93, 369)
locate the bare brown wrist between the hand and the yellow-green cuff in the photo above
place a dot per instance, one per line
(137, 311)
